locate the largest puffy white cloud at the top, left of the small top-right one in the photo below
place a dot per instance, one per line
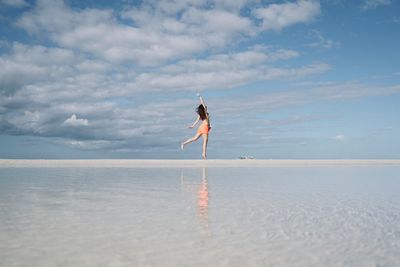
(157, 37)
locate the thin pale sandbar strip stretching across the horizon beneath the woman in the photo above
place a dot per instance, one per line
(157, 163)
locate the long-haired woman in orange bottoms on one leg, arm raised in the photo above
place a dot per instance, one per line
(204, 127)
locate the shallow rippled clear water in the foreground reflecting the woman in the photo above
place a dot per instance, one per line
(275, 216)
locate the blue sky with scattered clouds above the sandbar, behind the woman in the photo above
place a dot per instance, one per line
(281, 79)
